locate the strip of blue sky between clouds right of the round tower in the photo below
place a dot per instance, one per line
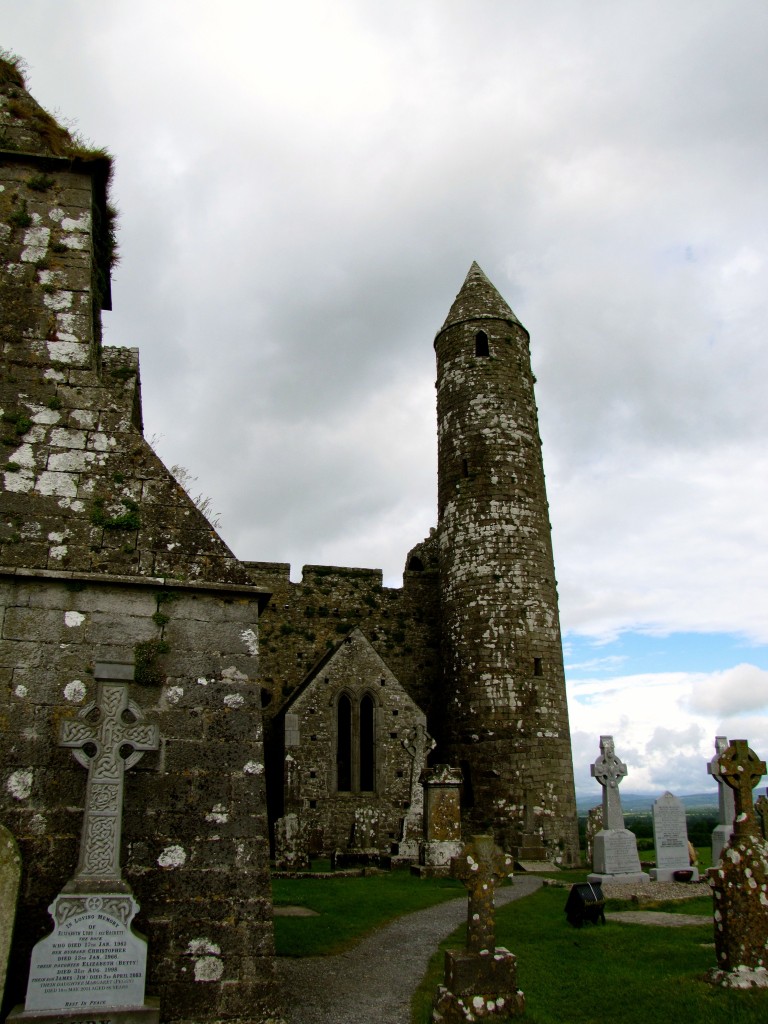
(635, 654)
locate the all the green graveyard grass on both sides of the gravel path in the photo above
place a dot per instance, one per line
(646, 974)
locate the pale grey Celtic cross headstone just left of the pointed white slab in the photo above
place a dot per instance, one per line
(616, 858)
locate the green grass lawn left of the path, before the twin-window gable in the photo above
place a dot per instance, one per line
(349, 909)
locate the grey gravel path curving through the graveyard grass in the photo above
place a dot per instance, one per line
(373, 983)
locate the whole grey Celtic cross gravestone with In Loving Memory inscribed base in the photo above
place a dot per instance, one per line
(94, 963)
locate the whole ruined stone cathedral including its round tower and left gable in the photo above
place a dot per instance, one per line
(271, 698)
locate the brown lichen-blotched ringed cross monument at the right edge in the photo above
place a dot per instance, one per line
(740, 882)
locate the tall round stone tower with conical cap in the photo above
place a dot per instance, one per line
(505, 717)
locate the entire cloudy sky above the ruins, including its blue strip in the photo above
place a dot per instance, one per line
(303, 189)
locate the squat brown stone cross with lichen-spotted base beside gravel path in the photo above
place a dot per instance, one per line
(481, 983)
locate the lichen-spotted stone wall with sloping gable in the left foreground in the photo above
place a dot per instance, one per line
(104, 558)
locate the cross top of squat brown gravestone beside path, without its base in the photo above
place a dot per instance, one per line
(481, 867)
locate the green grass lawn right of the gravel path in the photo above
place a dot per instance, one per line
(631, 974)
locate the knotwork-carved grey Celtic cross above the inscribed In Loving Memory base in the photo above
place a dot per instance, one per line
(108, 738)
